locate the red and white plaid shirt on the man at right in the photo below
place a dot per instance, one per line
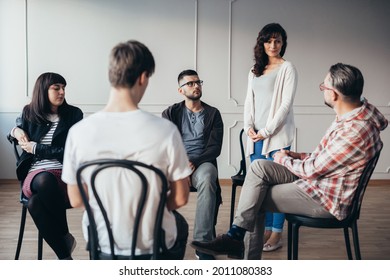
(331, 173)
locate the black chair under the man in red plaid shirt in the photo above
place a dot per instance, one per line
(296, 221)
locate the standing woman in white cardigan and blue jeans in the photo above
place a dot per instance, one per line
(268, 111)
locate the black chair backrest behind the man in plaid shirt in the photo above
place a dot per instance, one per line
(362, 186)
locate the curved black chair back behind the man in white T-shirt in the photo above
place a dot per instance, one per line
(135, 167)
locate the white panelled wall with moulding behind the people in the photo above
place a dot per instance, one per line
(216, 37)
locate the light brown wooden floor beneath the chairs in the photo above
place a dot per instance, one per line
(374, 229)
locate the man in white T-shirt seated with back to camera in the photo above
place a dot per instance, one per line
(123, 131)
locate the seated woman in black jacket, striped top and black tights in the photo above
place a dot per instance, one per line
(41, 131)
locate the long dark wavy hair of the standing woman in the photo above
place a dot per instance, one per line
(261, 58)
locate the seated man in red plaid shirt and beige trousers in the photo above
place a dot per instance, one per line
(320, 184)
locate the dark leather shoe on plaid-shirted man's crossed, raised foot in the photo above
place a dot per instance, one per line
(222, 245)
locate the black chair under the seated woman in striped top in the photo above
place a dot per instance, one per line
(24, 201)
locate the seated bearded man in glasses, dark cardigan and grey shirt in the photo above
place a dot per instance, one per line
(201, 127)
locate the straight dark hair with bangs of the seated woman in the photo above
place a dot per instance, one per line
(39, 108)
